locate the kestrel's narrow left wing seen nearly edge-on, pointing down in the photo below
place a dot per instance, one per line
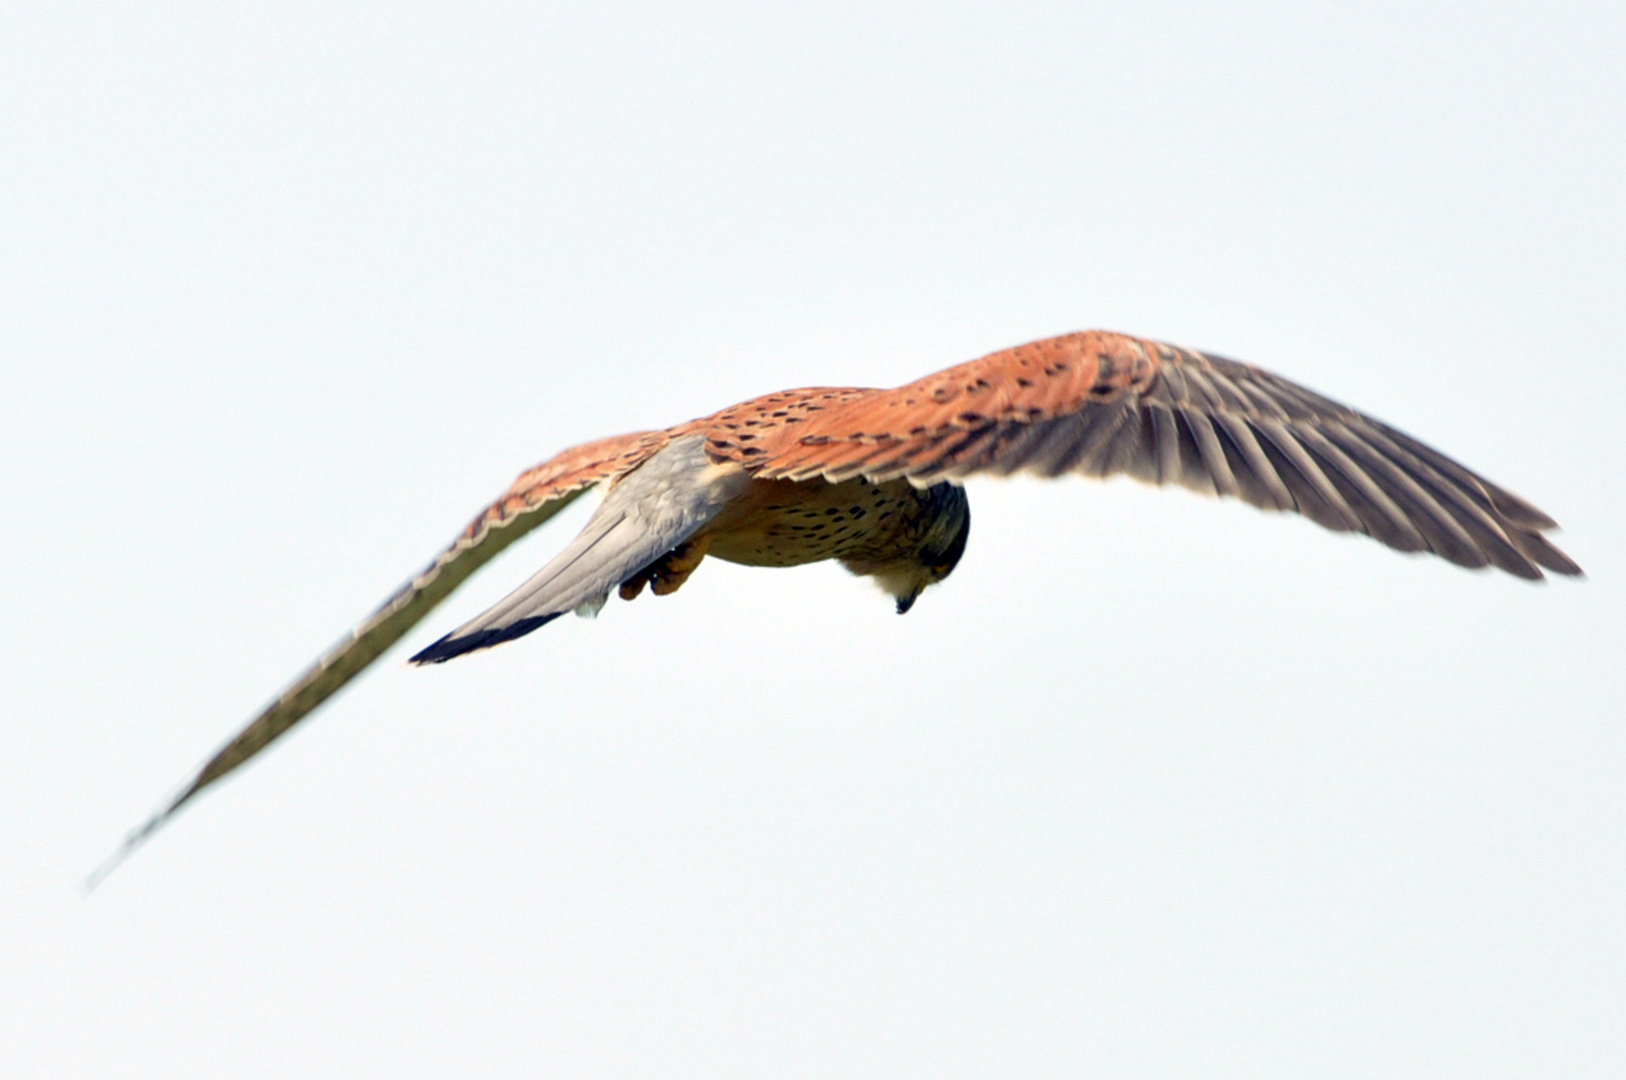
(536, 497)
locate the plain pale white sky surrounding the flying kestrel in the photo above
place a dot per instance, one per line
(1154, 786)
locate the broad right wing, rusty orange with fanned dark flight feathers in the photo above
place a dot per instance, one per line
(1103, 404)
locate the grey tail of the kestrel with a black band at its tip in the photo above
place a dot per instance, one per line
(648, 513)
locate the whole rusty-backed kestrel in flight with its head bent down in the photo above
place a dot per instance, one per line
(872, 479)
